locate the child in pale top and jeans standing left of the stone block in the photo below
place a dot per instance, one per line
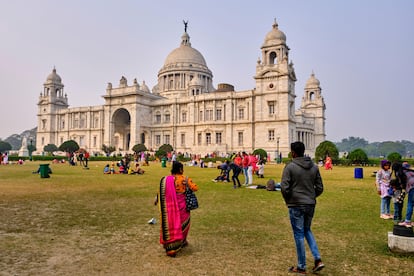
(383, 178)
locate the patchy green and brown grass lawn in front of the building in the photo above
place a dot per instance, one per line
(81, 222)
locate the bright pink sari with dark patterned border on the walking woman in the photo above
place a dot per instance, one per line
(175, 220)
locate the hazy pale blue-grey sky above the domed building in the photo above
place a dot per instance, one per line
(361, 51)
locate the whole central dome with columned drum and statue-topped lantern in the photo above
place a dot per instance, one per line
(181, 66)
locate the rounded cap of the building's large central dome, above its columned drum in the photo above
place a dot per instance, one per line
(185, 54)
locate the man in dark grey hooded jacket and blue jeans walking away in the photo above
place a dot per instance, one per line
(301, 184)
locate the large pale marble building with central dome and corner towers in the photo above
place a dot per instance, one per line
(185, 110)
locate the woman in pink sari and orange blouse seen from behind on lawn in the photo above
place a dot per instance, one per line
(175, 219)
